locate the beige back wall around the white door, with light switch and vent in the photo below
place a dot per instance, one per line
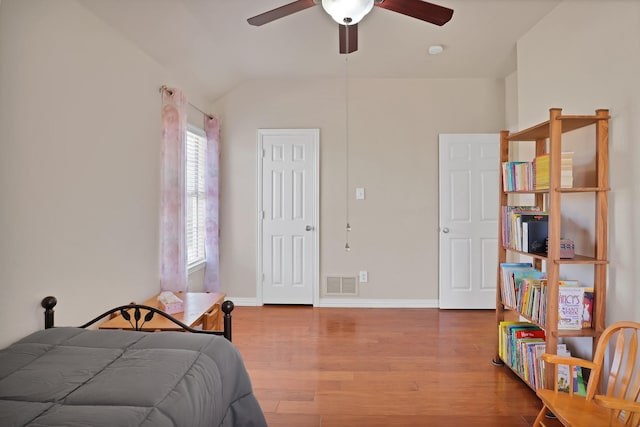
(393, 128)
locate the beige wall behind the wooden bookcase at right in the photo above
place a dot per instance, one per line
(580, 57)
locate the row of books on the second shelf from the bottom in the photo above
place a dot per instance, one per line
(524, 289)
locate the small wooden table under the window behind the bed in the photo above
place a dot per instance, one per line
(200, 309)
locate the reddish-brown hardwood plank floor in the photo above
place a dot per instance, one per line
(379, 367)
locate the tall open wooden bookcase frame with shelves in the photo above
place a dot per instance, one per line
(547, 137)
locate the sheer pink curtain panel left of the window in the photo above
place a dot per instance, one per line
(173, 269)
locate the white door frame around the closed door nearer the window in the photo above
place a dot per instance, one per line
(315, 133)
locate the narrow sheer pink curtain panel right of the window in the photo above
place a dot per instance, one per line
(212, 184)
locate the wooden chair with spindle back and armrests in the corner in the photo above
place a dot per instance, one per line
(613, 388)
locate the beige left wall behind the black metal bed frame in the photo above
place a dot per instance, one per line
(79, 166)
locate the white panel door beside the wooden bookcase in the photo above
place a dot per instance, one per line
(469, 174)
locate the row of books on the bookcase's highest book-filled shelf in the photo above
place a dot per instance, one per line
(535, 175)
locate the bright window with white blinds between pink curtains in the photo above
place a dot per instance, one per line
(195, 196)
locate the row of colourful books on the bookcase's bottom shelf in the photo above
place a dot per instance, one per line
(520, 346)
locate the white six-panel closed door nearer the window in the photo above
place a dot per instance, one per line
(289, 211)
